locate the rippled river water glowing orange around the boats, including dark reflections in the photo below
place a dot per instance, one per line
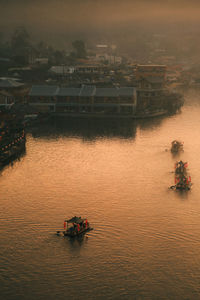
(146, 238)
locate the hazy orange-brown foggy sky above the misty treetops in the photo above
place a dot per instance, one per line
(50, 18)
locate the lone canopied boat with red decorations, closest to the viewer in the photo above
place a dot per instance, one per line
(76, 226)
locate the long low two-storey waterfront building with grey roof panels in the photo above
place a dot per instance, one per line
(84, 100)
